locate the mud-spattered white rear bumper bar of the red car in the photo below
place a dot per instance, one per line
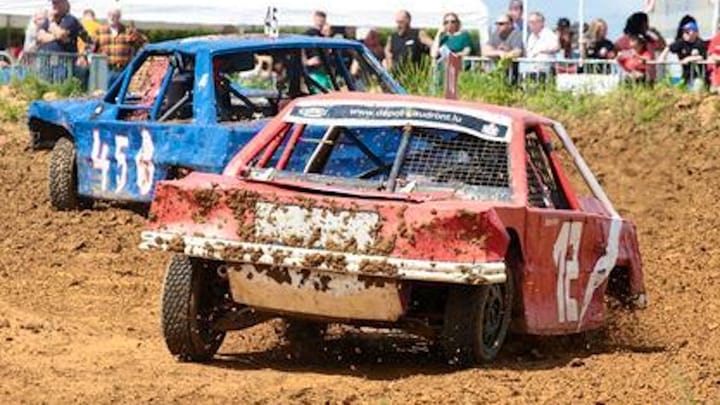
(409, 269)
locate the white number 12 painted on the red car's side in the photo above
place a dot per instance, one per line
(565, 254)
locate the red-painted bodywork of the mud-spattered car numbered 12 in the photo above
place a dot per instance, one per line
(440, 226)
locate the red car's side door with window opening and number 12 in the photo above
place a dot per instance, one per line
(563, 244)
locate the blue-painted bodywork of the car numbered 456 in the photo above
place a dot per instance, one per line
(110, 150)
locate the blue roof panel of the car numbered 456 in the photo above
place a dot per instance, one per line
(228, 43)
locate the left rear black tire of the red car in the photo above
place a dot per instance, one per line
(190, 296)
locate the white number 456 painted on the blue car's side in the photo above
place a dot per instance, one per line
(145, 169)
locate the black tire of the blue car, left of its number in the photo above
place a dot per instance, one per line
(62, 176)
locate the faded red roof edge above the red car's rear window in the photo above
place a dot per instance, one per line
(514, 114)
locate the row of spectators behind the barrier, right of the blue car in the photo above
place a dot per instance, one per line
(638, 50)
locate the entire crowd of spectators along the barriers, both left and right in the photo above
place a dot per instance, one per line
(637, 51)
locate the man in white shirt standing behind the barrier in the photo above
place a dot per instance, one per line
(542, 46)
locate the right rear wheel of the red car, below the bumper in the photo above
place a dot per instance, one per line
(476, 322)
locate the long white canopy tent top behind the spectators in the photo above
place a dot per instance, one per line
(367, 13)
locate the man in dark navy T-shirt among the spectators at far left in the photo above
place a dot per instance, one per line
(61, 31)
